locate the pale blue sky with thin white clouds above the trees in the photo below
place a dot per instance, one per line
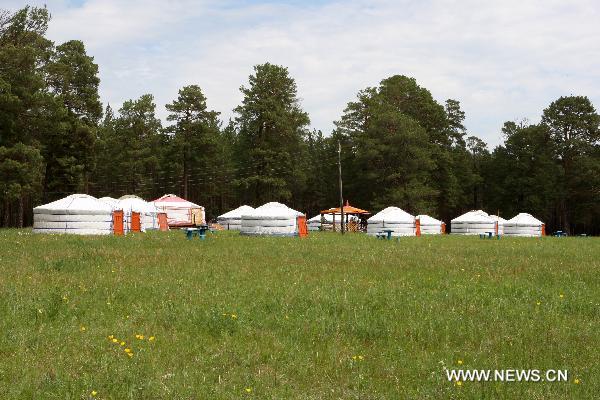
(503, 60)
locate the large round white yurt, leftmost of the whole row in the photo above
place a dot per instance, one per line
(79, 214)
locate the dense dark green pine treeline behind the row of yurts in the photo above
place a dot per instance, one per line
(399, 145)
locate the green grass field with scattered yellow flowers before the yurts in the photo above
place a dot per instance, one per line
(326, 317)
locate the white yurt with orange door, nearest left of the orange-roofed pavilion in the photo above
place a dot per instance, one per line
(271, 219)
